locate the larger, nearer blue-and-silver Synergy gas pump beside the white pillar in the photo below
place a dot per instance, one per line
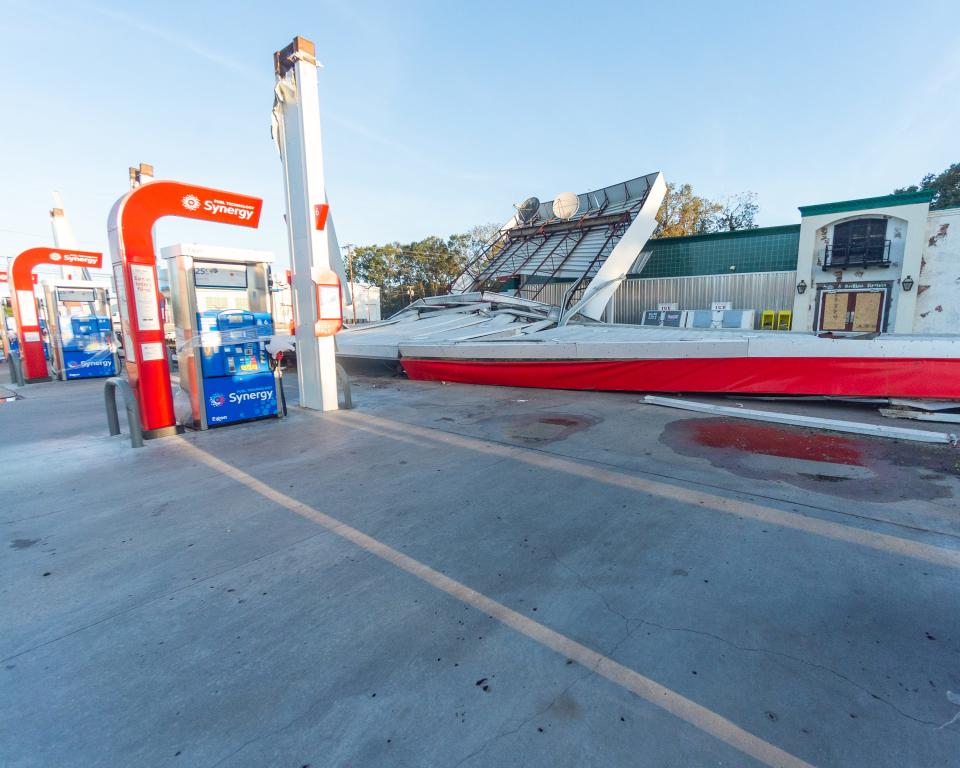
(221, 309)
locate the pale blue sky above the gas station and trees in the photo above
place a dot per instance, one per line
(440, 115)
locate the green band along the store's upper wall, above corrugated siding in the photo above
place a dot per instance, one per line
(771, 249)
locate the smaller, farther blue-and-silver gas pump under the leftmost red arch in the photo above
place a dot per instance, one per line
(79, 329)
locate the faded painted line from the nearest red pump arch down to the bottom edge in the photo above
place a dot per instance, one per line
(687, 710)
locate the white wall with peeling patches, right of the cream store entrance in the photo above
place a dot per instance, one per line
(938, 286)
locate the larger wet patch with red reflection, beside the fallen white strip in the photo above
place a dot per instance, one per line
(866, 469)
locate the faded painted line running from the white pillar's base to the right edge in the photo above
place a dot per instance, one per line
(883, 542)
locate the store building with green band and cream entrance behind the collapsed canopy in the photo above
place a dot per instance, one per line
(876, 265)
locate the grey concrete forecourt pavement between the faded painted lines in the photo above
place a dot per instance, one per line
(184, 621)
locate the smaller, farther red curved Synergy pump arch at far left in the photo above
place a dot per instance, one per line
(25, 303)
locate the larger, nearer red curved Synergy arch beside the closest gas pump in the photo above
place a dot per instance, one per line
(135, 272)
